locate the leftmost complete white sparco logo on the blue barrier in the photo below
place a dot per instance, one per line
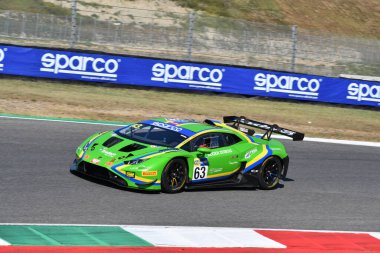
(79, 65)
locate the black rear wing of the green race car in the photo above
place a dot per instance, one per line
(237, 121)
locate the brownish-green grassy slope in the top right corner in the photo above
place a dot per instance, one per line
(349, 17)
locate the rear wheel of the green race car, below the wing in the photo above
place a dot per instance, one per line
(270, 173)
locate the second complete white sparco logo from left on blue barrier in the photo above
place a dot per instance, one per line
(194, 76)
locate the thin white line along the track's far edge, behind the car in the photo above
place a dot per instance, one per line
(321, 140)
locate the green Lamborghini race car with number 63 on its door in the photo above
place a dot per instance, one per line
(172, 154)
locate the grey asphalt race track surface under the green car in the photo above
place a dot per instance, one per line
(330, 187)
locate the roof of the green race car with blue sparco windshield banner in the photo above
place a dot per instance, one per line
(183, 126)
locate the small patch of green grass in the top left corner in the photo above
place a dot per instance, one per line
(37, 6)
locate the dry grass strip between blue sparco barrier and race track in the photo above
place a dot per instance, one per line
(88, 101)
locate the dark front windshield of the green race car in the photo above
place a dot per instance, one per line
(151, 135)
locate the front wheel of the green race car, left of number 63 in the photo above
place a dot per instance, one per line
(174, 176)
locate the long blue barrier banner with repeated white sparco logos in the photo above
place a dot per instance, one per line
(49, 63)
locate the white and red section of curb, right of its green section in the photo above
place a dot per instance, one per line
(258, 240)
